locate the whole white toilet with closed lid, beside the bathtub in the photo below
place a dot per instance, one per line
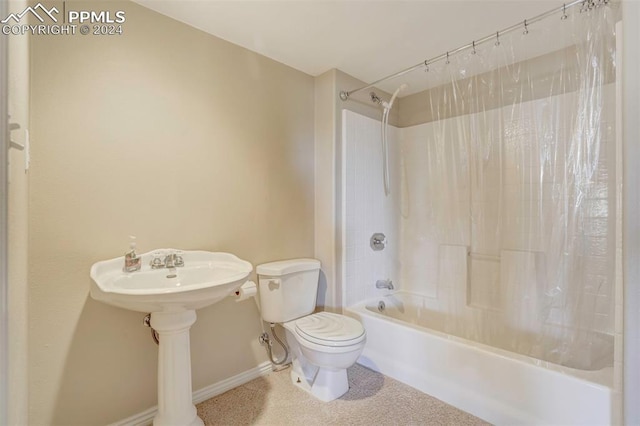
(323, 345)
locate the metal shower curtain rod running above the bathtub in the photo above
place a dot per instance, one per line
(586, 5)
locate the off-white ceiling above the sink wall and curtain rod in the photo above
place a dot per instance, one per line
(368, 39)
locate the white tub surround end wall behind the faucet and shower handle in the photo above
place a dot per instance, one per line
(367, 209)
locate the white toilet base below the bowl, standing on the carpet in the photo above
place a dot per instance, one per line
(326, 385)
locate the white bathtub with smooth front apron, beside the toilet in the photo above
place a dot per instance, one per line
(501, 387)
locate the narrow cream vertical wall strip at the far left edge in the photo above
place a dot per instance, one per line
(17, 218)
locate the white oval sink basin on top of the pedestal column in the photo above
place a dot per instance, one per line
(205, 278)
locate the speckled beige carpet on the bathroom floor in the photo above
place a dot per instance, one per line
(372, 399)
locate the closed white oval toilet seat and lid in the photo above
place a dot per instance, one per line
(327, 329)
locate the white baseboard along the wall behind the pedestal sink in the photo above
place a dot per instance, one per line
(146, 417)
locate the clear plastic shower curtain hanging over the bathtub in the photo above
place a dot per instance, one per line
(518, 155)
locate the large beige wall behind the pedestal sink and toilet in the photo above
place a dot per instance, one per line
(183, 140)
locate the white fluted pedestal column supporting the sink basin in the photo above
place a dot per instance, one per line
(175, 404)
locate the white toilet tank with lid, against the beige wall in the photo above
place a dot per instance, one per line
(288, 289)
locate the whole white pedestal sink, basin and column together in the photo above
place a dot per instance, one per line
(171, 295)
